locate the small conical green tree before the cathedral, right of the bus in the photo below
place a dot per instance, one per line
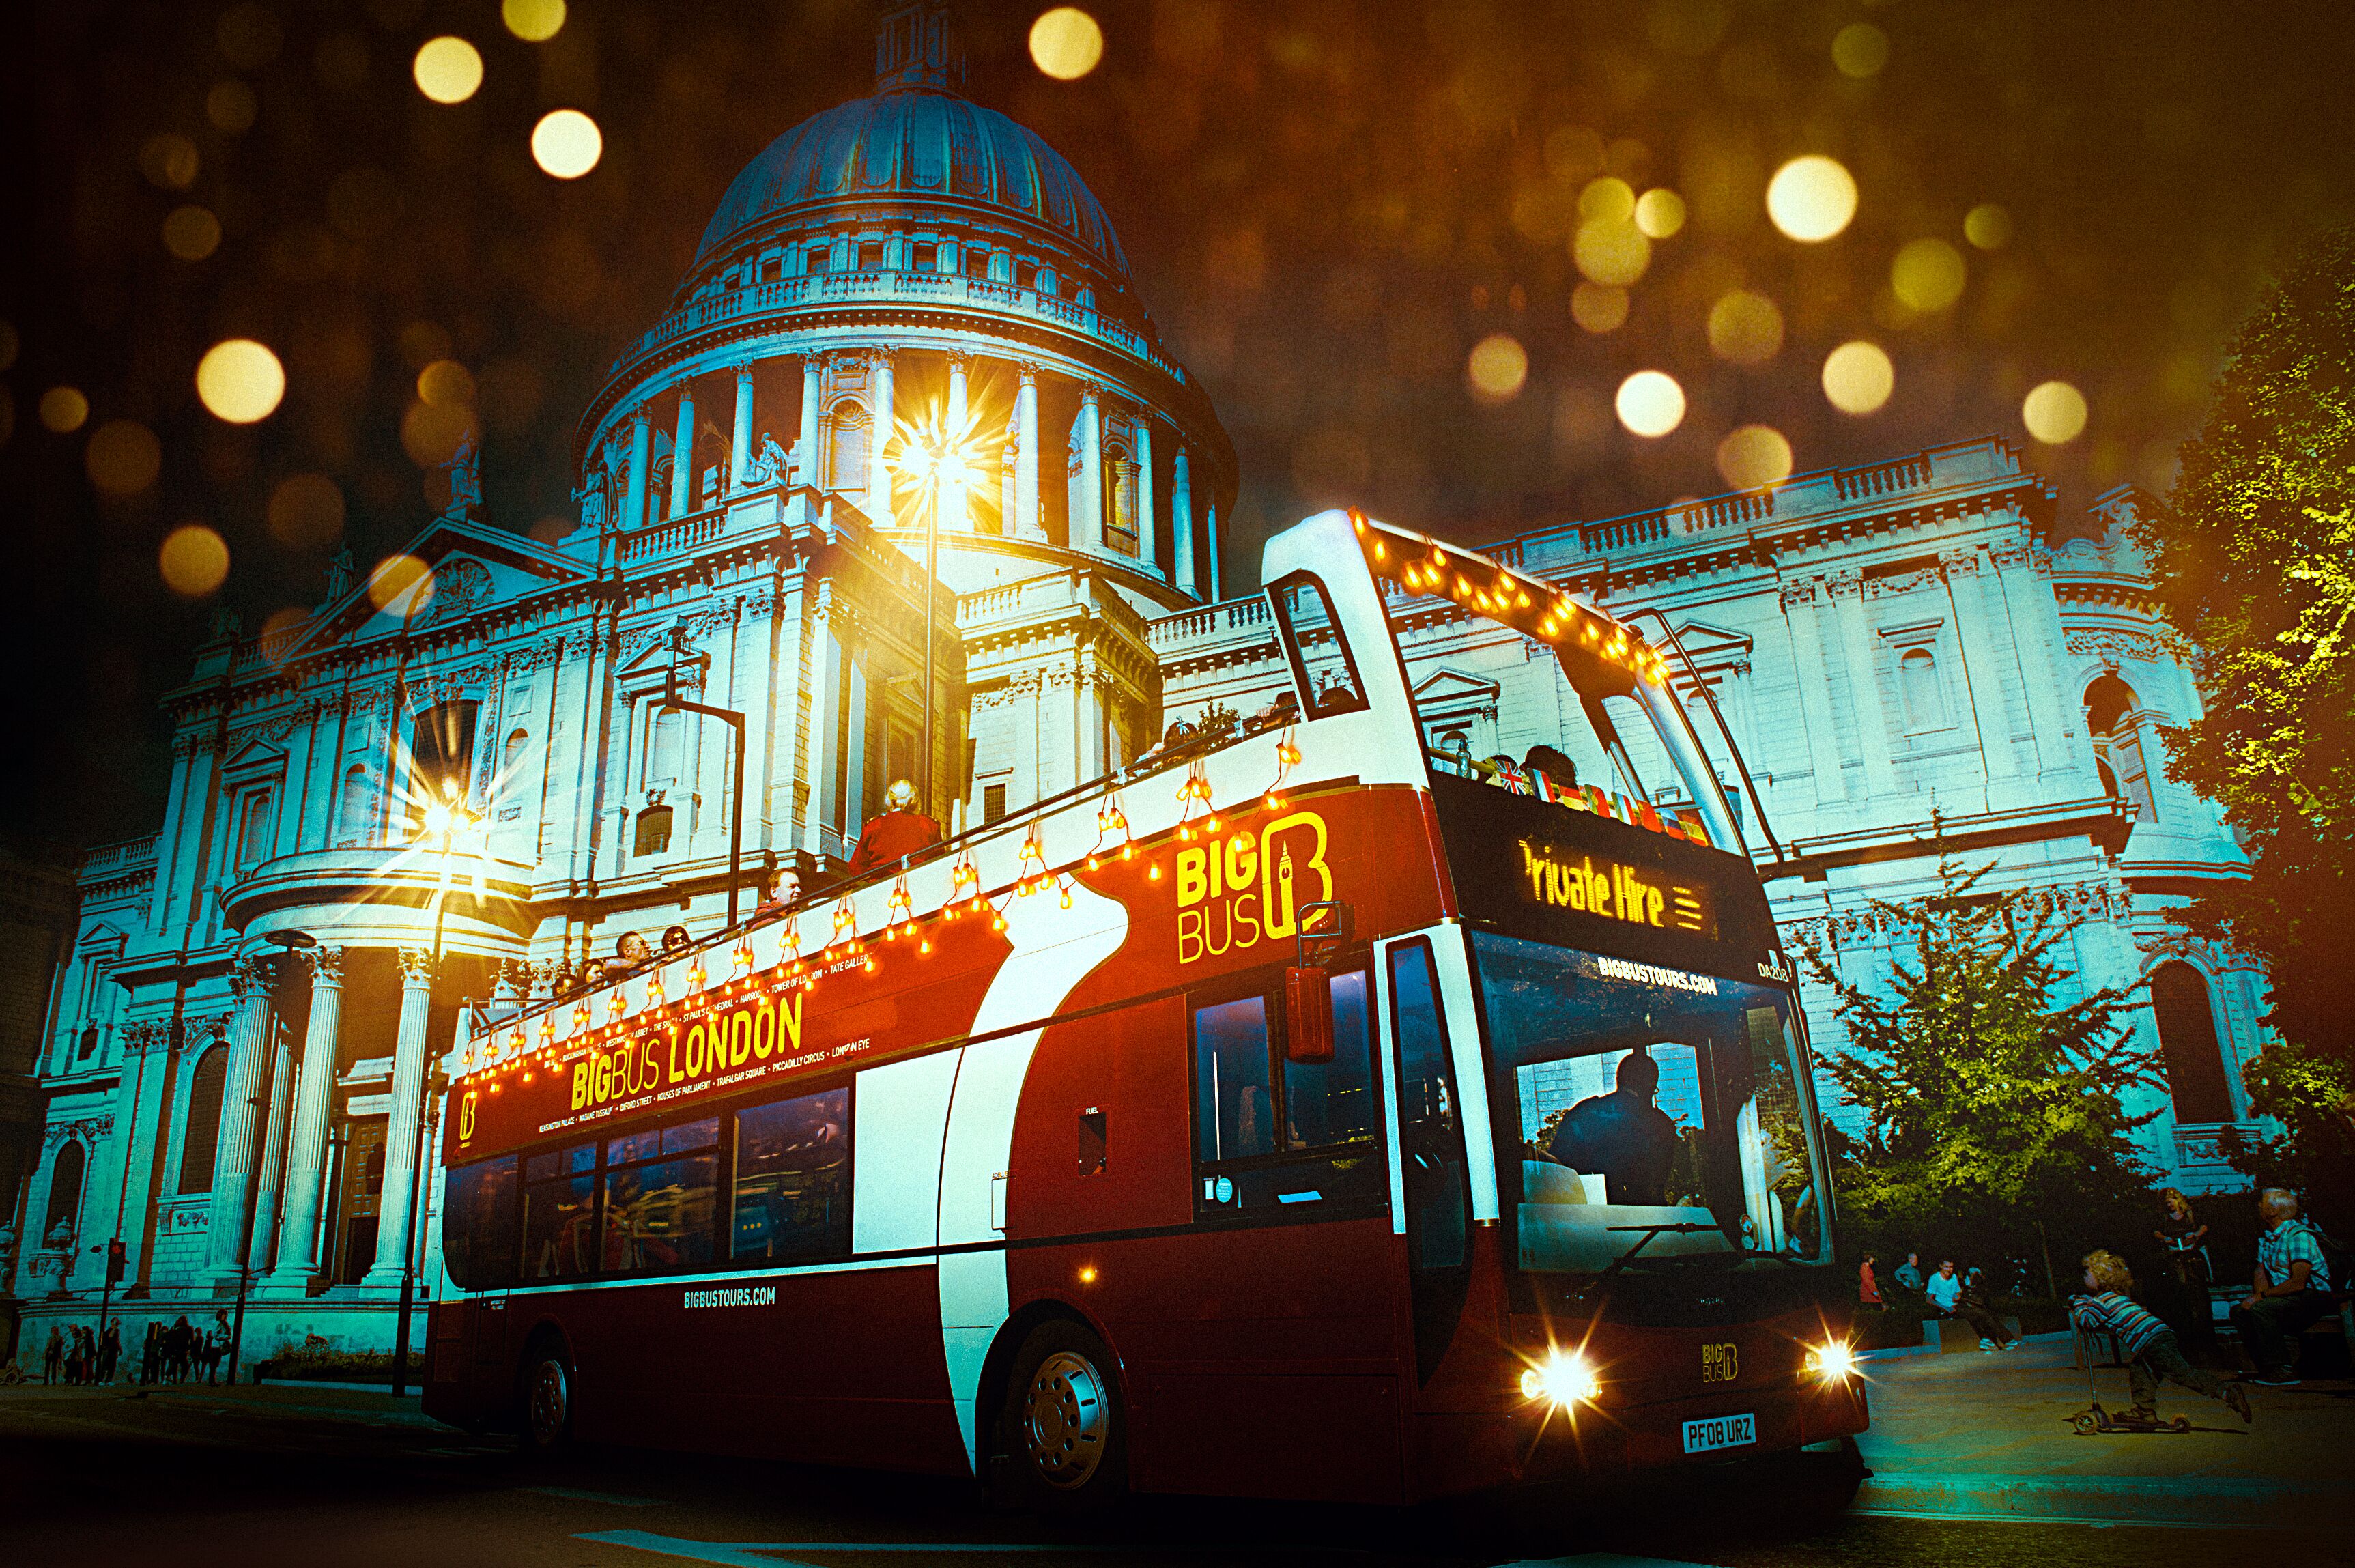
(1994, 1119)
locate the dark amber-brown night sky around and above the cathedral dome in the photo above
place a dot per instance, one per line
(1327, 206)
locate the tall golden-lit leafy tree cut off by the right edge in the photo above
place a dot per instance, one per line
(2255, 564)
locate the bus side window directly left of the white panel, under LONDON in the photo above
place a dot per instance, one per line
(792, 1188)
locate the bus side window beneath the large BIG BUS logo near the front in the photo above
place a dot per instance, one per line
(1285, 1134)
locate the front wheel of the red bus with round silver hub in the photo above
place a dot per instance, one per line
(1066, 1430)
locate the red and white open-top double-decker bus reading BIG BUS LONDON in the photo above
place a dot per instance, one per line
(1301, 1112)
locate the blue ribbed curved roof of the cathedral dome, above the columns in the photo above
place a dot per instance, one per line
(924, 147)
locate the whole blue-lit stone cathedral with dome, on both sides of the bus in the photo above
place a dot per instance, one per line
(905, 486)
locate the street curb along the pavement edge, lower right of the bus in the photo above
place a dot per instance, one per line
(2198, 1501)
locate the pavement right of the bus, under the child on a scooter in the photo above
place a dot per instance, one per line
(1989, 1437)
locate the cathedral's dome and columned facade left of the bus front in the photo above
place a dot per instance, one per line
(903, 463)
